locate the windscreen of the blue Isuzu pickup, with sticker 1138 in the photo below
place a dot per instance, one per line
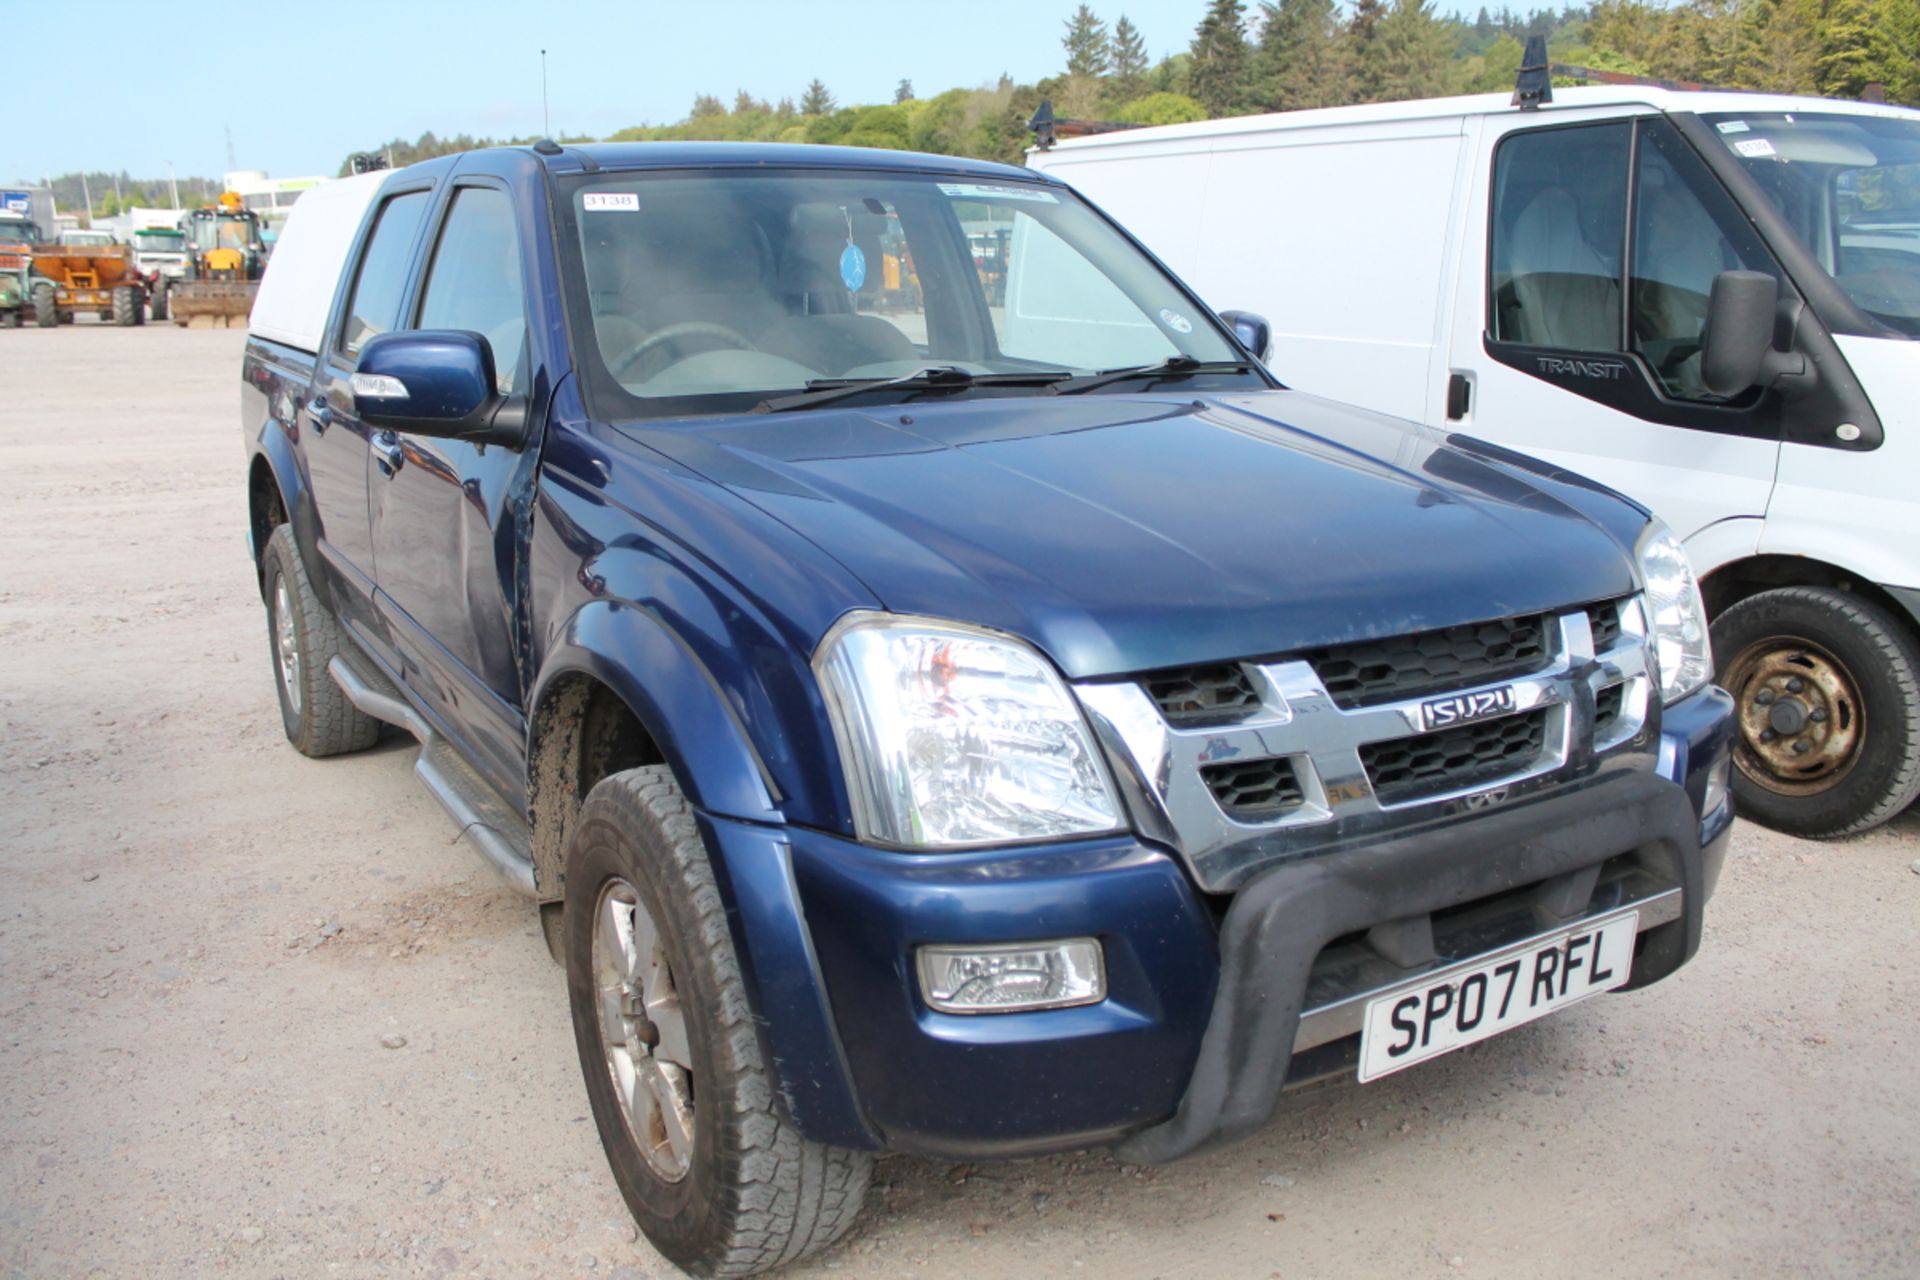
(708, 293)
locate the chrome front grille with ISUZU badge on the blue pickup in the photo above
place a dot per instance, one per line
(1282, 767)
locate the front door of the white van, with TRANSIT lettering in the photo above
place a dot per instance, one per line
(1583, 295)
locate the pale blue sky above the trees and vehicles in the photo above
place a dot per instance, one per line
(302, 85)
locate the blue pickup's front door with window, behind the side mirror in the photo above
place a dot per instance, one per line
(444, 531)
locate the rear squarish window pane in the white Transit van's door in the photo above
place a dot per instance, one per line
(1560, 216)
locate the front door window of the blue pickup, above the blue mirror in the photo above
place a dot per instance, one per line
(475, 281)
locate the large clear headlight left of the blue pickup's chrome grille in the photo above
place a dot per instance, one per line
(953, 736)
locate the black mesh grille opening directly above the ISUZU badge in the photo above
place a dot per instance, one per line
(1406, 667)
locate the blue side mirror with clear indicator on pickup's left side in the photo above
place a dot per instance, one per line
(433, 383)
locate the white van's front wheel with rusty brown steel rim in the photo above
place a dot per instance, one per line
(1829, 709)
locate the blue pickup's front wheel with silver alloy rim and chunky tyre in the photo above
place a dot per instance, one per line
(711, 1168)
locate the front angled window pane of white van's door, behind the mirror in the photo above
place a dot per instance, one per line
(1687, 231)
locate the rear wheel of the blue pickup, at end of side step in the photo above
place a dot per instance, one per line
(302, 638)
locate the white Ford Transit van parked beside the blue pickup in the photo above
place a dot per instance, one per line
(1543, 279)
